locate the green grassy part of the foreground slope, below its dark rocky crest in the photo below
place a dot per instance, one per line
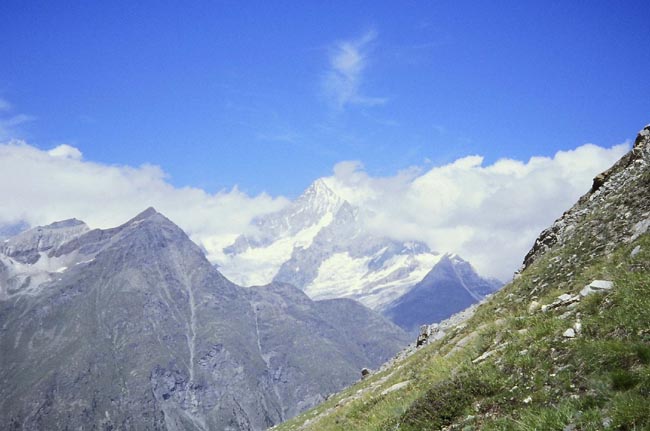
(535, 379)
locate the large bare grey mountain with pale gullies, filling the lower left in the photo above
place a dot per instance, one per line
(139, 331)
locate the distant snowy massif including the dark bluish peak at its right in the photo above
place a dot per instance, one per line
(319, 244)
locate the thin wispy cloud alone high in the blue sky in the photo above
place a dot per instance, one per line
(343, 78)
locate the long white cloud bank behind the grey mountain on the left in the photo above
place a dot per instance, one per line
(40, 187)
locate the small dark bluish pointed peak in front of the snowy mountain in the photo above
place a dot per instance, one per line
(451, 286)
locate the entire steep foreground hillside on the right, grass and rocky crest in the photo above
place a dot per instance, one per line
(564, 346)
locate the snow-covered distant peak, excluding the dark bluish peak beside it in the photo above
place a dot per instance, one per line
(319, 244)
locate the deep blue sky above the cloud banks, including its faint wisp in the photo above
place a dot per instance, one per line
(271, 95)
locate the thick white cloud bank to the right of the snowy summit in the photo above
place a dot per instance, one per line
(488, 214)
